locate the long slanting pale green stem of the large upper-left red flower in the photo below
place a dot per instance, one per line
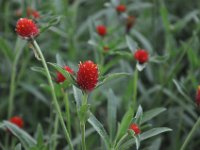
(55, 101)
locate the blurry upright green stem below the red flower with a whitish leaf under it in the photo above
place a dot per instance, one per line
(135, 80)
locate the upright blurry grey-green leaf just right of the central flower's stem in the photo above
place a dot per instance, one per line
(112, 112)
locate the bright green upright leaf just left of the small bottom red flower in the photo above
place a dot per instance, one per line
(125, 123)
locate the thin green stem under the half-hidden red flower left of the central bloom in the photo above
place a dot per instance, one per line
(66, 100)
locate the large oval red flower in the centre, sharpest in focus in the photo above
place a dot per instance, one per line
(87, 76)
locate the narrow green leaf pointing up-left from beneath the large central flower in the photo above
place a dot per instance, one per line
(66, 74)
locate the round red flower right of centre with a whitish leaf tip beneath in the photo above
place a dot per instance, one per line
(141, 56)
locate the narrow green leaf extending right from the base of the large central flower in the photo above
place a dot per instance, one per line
(113, 76)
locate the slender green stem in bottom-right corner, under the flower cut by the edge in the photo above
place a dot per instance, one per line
(189, 137)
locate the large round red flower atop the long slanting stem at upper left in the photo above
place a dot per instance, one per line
(26, 28)
